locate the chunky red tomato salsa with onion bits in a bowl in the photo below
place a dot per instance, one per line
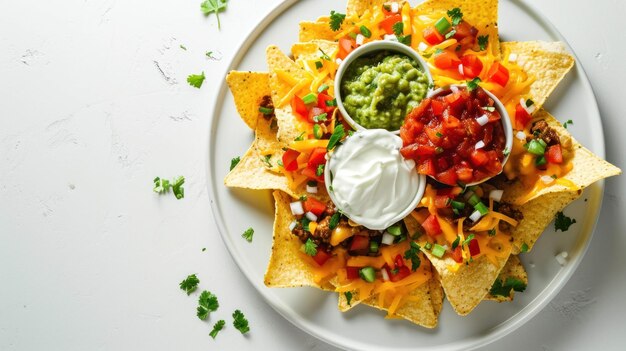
(454, 137)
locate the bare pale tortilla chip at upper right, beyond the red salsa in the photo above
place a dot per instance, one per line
(547, 62)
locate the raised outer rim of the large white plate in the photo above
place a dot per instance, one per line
(595, 193)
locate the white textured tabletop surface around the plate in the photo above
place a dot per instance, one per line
(91, 258)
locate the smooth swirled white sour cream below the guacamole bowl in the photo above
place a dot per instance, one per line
(370, 182)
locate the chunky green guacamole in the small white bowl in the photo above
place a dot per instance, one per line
(379, 90)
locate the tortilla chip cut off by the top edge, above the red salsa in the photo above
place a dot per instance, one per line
(482, 14)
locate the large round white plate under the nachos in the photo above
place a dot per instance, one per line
(365, 328)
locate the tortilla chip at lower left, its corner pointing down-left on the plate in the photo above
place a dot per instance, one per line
(287, 267)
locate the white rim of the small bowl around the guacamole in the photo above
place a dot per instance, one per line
(370, 48)
